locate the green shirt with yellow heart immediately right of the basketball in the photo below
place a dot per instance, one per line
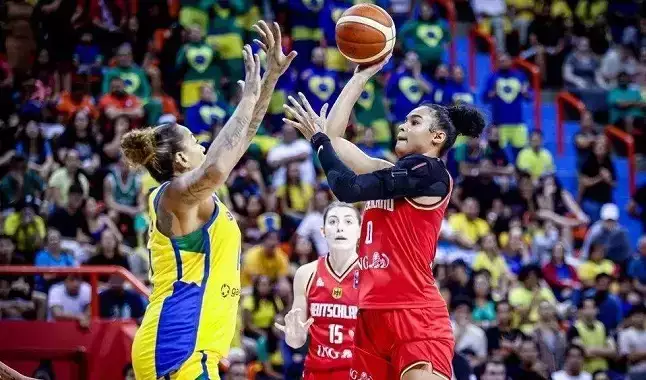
(425, 38)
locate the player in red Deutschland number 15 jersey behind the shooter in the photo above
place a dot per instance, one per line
(326, 291)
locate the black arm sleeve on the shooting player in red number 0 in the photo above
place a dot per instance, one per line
(412, 176)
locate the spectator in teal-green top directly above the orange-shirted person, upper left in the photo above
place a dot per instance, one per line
(133, 78)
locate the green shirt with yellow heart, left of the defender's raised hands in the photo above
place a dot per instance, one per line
(199, 62)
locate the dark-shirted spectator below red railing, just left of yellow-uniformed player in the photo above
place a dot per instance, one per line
(116, 302)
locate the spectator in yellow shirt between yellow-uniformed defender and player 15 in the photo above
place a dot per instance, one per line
(267, 259)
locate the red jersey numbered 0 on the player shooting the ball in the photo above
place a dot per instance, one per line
(396, 253)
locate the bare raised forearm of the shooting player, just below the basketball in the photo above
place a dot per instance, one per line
(339, 116)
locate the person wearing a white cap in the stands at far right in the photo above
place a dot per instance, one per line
(609, 233)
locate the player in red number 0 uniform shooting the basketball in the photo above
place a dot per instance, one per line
(402, 316)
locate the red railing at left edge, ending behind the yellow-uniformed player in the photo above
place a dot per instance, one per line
(93, 272)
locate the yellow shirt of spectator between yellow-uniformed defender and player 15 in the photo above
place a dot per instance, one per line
(256, 263)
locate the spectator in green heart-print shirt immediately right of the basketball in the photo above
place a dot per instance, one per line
(427, 36)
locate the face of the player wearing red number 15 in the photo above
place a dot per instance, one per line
(342, 229)
